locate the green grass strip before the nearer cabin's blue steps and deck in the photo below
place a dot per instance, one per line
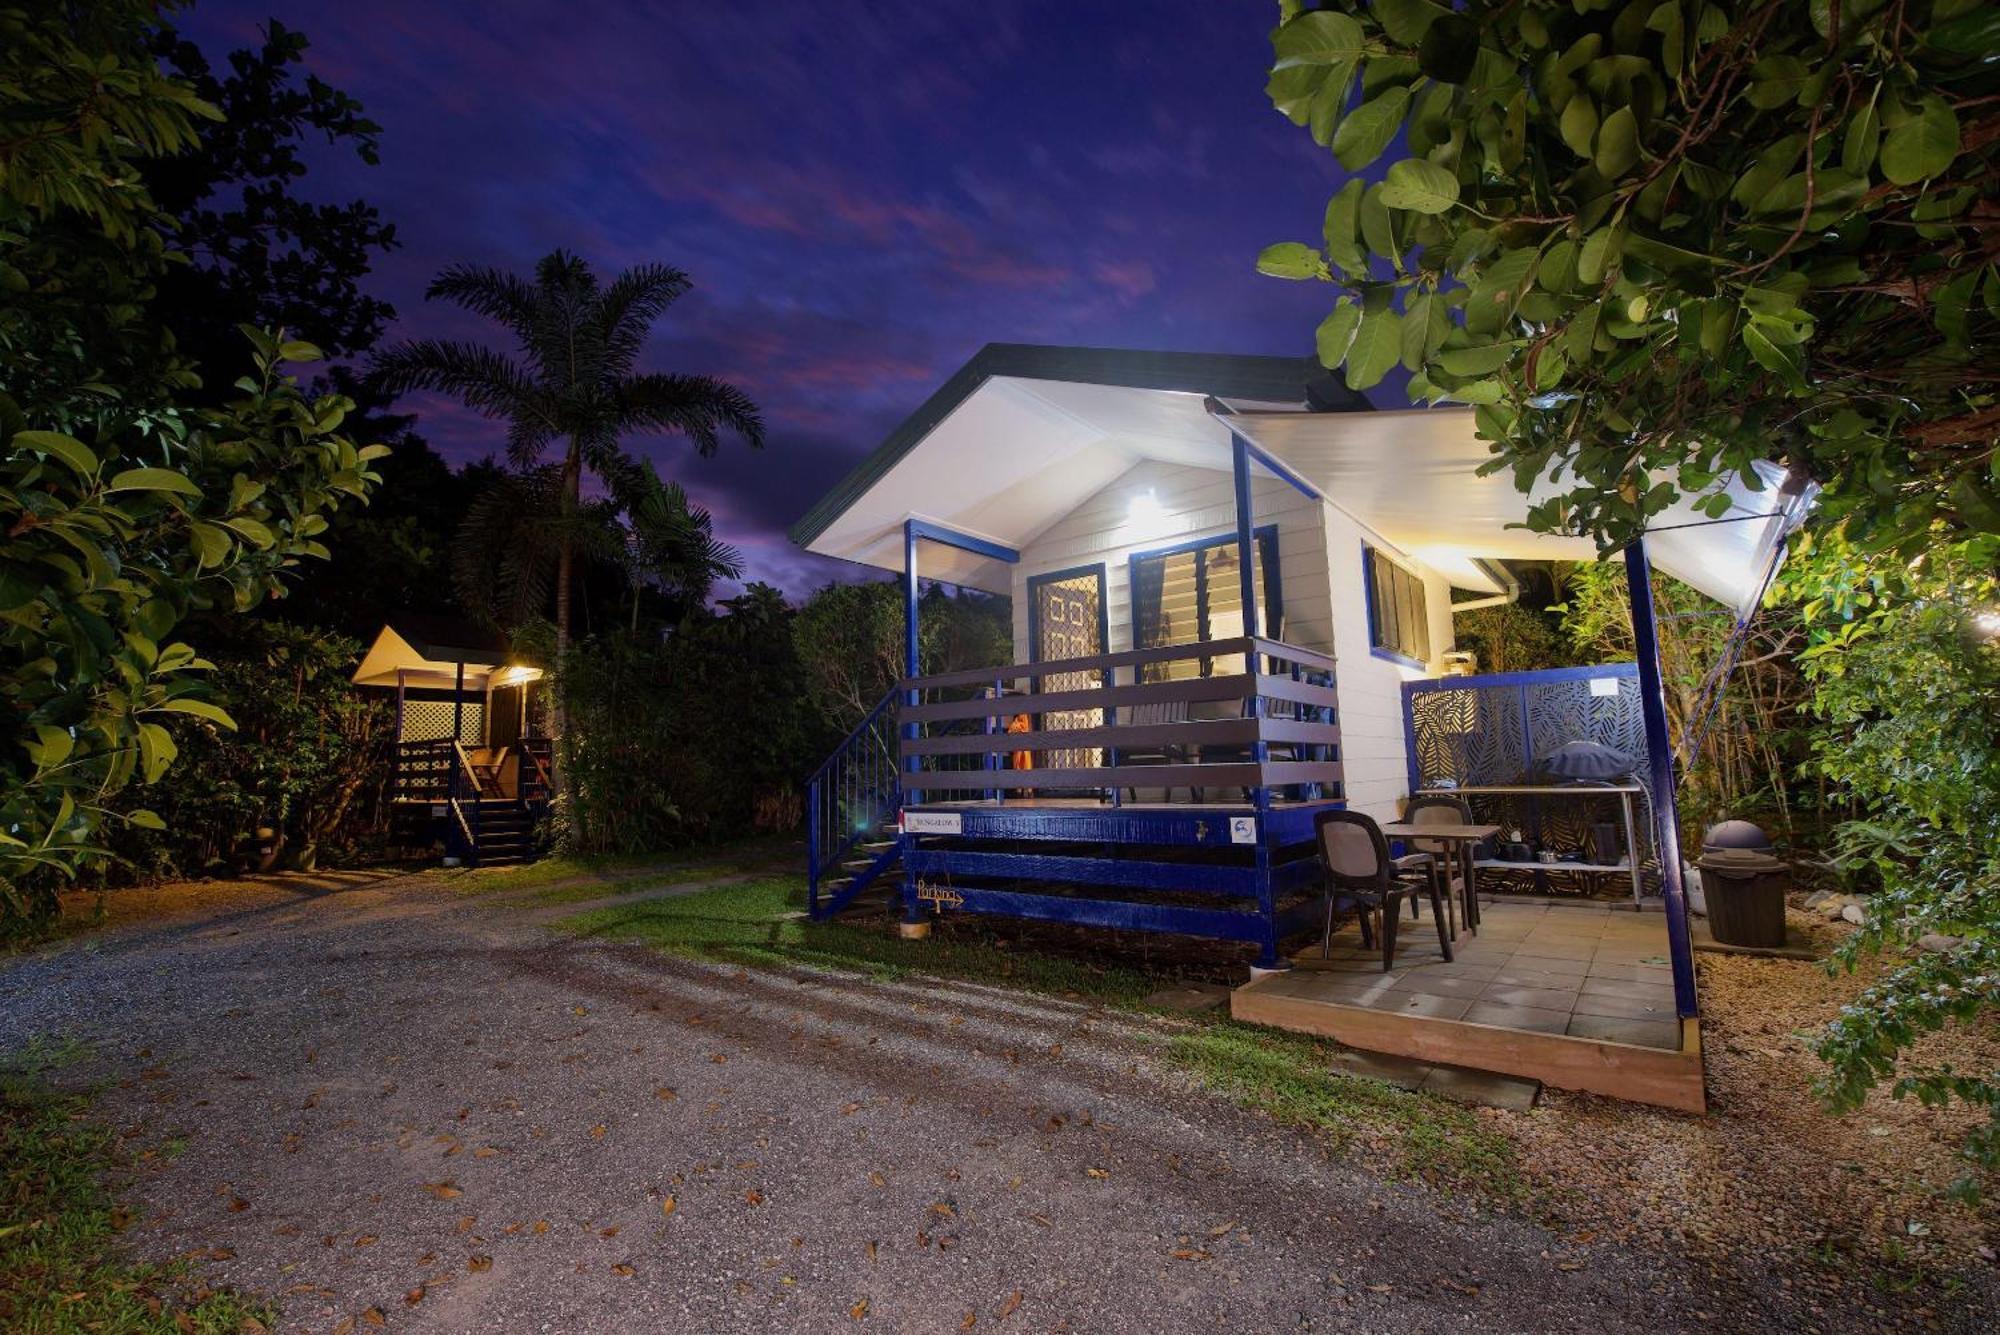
(763, 924)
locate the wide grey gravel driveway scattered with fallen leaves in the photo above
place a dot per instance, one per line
(403, 1106)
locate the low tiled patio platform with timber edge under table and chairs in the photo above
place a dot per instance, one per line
(1573, 996)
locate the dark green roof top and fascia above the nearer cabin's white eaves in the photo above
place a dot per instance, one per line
(1219, 375)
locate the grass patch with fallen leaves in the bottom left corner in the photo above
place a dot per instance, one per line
(59, 1232)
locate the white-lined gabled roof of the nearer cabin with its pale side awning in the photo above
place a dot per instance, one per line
(1023, 437)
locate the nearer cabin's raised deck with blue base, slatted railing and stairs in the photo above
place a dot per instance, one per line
(1049, 792)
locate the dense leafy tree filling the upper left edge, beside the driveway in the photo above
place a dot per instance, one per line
(123, 507)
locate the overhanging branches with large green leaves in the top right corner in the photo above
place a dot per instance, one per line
(1655, 241)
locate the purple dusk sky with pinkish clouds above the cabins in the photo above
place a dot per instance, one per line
(863, 193)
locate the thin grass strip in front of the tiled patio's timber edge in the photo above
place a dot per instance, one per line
(1291, 1078)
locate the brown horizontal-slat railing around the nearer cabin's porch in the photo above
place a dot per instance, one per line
(1269, 728)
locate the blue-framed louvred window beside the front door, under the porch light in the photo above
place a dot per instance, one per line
(1193, 595)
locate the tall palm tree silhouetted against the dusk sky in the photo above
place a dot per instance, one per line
(575, 387)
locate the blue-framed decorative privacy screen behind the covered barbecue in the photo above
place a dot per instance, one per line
(1495, 730)
